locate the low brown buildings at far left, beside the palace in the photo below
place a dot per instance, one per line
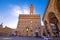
(5, 31)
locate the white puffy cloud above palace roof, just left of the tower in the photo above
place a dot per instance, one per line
(18, 10)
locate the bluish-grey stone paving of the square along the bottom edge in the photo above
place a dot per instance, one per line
(25, 38)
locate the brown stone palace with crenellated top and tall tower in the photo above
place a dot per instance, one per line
(29, 25)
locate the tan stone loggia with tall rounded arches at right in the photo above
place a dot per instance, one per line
(52, 17)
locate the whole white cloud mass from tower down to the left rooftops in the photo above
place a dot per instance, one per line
(16, 10)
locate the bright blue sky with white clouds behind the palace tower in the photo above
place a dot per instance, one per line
(10, 9)
